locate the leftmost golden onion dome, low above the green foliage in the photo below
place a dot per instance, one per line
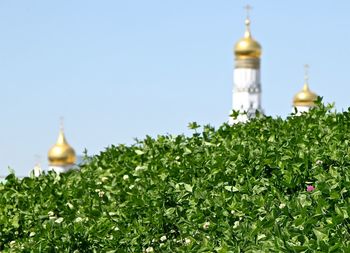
(61, 153)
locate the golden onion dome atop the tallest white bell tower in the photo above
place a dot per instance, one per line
(247, 47)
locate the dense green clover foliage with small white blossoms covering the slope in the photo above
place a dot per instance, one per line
(241, 188)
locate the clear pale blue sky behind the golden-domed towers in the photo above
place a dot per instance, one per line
(116, 70)
